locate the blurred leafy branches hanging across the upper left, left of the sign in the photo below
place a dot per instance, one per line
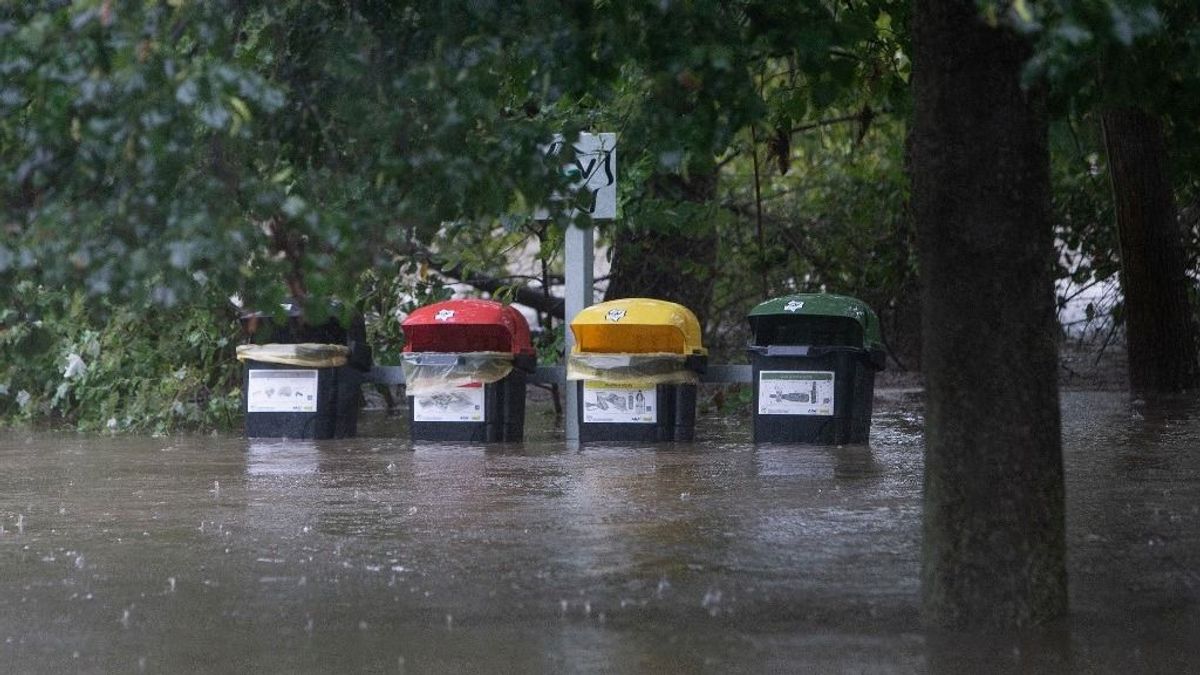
(224, 145)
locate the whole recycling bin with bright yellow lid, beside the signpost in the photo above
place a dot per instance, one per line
(638, 365)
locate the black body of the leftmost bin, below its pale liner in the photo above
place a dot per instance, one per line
(337, 414)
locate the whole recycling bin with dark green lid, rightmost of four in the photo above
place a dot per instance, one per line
(814, 359)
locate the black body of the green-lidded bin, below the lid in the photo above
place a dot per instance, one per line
(800, 373)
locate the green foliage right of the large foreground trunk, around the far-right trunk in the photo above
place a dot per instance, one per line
(1095, 57)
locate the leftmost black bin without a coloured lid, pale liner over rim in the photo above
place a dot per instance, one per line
(303, 380)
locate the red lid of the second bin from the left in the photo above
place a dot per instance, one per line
(467, 326)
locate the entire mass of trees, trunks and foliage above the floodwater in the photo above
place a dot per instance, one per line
(944, 160)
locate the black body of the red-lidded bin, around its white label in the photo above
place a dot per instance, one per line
(503, 411)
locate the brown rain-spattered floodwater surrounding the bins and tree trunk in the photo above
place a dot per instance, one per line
(219, 554)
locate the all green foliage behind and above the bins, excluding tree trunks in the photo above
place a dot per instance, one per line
(159, 156)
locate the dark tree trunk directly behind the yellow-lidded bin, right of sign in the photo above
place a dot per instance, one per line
(675, 264)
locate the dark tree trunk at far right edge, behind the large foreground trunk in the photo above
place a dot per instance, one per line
(1160, 332)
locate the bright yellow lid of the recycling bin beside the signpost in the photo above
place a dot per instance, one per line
(638, 326)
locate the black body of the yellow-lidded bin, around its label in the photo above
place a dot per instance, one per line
(675, 419)
